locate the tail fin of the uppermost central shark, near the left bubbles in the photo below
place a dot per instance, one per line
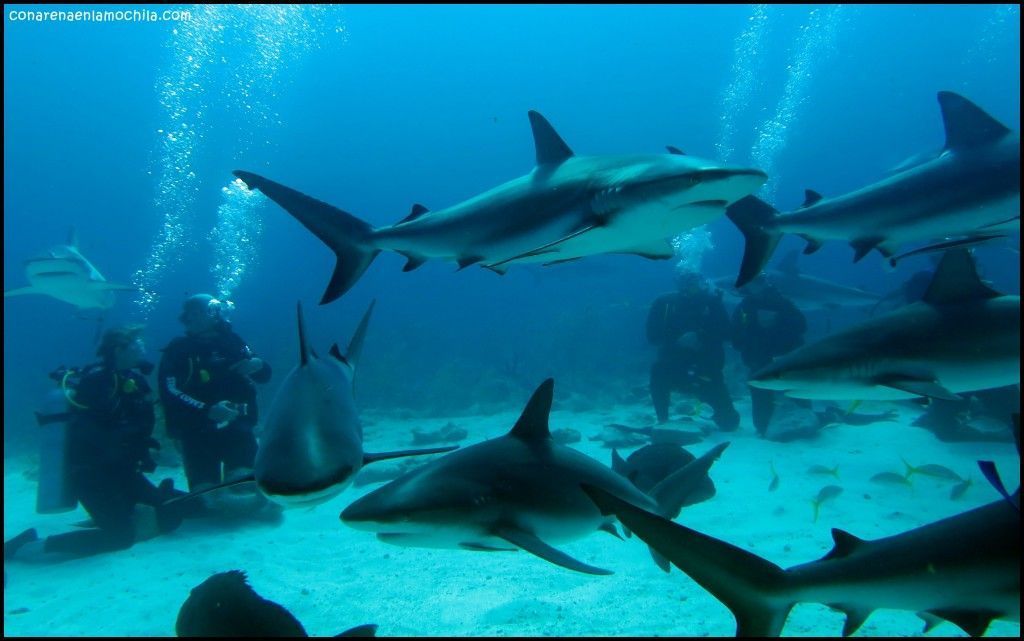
(349, 237)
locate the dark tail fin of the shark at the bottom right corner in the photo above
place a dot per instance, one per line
(744, 582)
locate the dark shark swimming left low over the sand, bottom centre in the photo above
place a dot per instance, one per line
(517, 492)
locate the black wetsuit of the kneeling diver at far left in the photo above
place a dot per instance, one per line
(110, 435)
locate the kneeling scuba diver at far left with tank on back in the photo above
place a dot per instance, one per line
(109, 437)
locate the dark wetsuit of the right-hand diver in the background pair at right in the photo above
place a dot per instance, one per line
(758, 343)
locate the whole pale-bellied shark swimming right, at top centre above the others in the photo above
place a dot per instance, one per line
(569, 207)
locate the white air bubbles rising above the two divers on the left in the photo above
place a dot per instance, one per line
(225, 65)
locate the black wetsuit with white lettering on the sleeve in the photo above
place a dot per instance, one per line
(195, 374)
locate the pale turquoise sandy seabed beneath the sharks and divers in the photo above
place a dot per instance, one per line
(333, 578)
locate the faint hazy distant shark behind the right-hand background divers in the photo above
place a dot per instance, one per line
(807, 292)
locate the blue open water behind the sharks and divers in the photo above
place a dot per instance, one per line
(127, 131)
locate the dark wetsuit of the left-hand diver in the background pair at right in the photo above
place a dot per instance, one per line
(699, 371)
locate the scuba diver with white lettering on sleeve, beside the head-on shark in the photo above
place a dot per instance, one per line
(206, 382)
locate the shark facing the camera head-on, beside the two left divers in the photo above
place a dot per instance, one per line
(312, 446)
